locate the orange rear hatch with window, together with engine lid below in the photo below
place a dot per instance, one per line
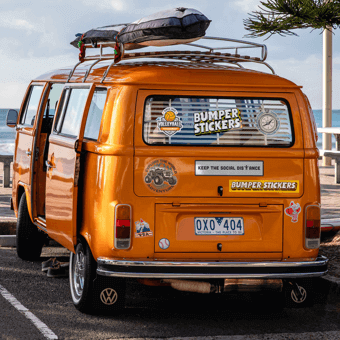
(219, 158)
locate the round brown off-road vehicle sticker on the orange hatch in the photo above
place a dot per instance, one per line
(160, 176)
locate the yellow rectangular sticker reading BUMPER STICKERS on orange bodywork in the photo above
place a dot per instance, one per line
(264, 186)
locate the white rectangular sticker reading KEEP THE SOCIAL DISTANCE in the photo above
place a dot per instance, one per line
(228, 168)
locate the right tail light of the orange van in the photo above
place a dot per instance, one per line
(312, 227)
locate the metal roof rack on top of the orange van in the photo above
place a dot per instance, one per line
(209, 55)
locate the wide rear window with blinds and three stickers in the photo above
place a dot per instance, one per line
(207, 121)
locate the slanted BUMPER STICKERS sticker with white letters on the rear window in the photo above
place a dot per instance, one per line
(211, 122)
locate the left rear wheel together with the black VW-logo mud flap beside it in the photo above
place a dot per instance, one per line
(90, 292)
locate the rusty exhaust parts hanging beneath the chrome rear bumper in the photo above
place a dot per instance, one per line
(230, 285)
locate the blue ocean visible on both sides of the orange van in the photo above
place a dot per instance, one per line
(7, 135)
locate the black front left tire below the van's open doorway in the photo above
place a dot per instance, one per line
(29, 239)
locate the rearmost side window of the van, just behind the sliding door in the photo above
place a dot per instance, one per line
(95, 114)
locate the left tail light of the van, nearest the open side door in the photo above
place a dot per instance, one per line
(122, 231)
